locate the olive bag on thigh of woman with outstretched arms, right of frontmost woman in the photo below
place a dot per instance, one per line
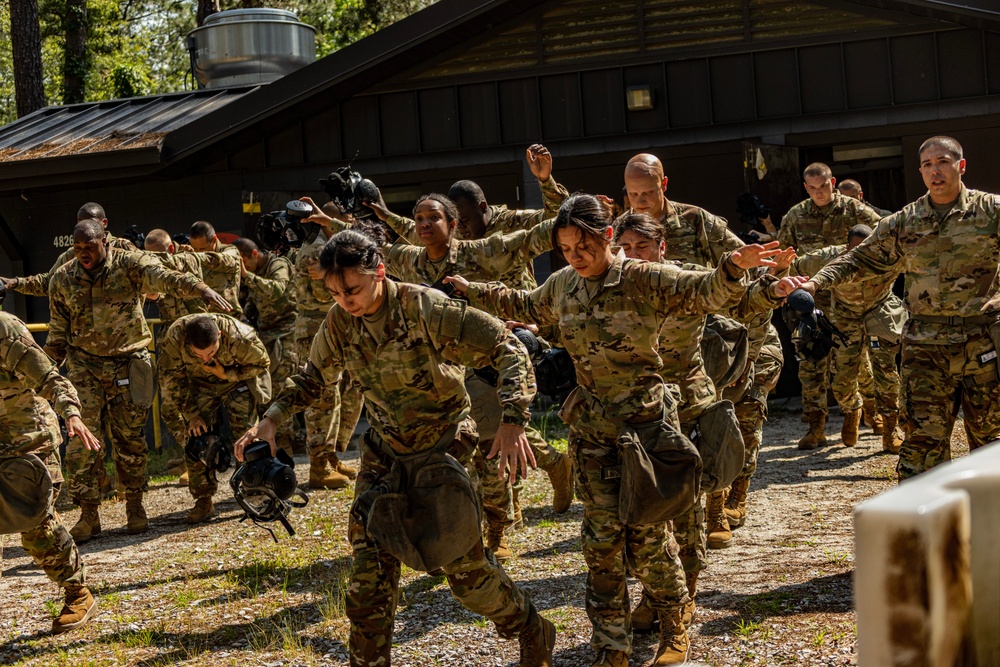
(661, 473)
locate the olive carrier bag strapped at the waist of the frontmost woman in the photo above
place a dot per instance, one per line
(425, 511)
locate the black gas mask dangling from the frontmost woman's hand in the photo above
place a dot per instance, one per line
(266, 488)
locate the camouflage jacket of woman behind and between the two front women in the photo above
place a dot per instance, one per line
(484, 259)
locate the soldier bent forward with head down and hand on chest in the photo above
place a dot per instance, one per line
(209, 361)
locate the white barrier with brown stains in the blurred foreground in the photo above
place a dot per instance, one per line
(927, 568)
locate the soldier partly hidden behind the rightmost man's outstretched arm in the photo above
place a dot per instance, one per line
(853, 304)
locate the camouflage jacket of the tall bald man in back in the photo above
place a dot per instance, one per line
(694, 235)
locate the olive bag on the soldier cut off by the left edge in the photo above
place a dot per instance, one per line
(25, 494)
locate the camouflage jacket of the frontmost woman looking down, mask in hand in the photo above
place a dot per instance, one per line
(414, 379)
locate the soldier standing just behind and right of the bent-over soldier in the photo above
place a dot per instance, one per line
(271, 294)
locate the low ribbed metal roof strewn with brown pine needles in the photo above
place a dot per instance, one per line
(115, 125)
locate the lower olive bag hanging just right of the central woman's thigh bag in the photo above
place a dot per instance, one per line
(720, 444)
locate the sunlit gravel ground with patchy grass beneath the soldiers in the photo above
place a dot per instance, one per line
(224, 593)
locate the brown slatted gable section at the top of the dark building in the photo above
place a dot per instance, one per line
(578, 31)
